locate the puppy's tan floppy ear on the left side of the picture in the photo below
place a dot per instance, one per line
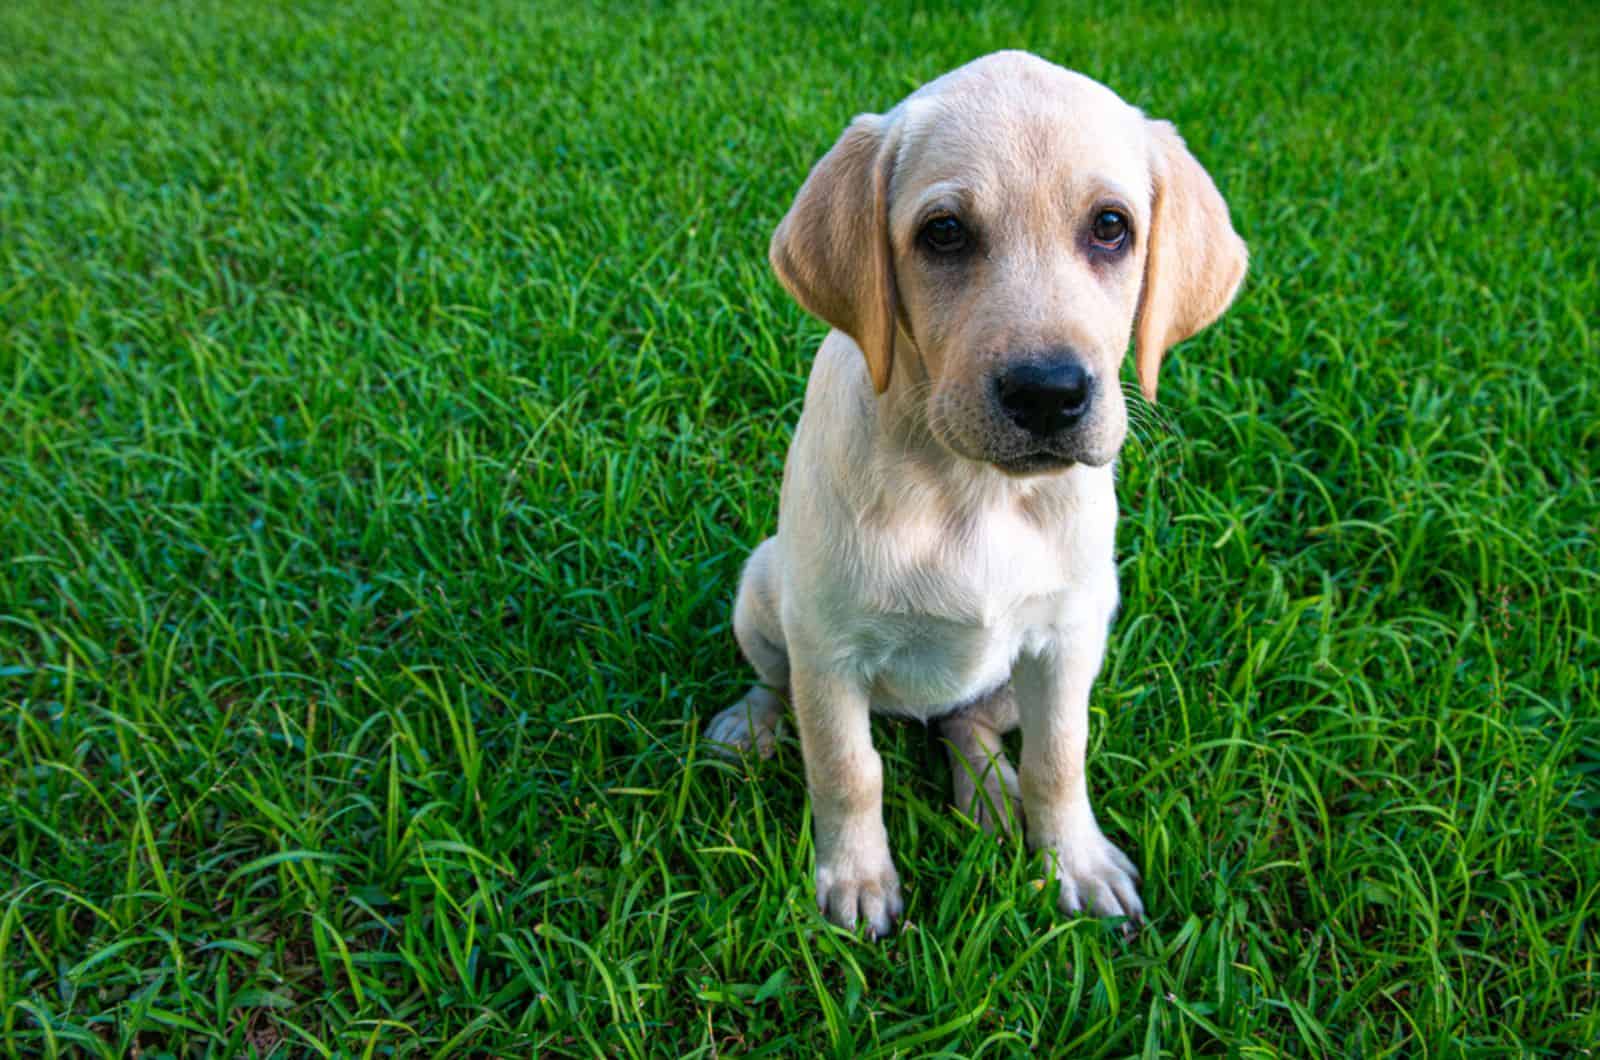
(833, 249)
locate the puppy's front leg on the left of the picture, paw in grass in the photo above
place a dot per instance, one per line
(855, 873)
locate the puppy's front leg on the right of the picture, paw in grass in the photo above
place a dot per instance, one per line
(1054, 701)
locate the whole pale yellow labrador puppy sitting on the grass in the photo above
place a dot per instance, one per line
(945, 548)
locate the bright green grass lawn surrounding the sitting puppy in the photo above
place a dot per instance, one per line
(391, 395)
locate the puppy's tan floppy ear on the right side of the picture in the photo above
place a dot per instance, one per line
(1196, 260)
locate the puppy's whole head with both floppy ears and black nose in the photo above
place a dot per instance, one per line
(996, 239)
